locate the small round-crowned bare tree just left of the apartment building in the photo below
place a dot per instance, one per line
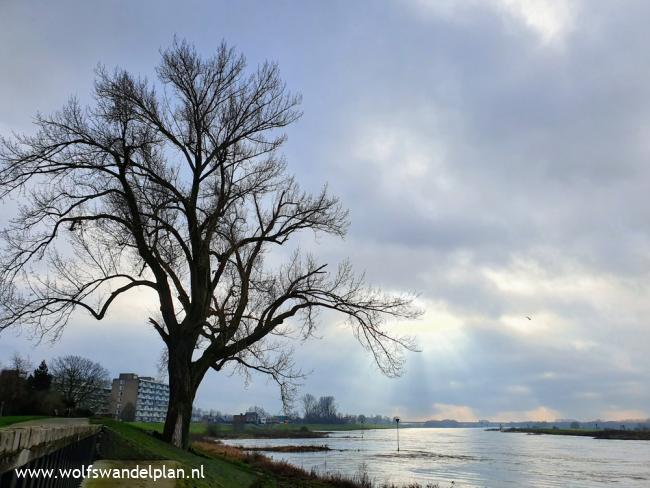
(80, 381)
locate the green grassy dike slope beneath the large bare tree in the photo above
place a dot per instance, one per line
(130, 447)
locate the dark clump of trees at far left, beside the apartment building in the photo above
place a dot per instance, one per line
(68, 385)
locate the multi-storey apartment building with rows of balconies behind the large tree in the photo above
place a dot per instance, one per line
(139, 398)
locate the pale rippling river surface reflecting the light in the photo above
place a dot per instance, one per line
(474, 458)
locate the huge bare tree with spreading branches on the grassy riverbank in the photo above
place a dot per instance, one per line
(177, 187)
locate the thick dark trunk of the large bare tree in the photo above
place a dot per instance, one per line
(182, 390)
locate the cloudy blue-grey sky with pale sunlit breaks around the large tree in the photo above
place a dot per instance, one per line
(494, 155)
